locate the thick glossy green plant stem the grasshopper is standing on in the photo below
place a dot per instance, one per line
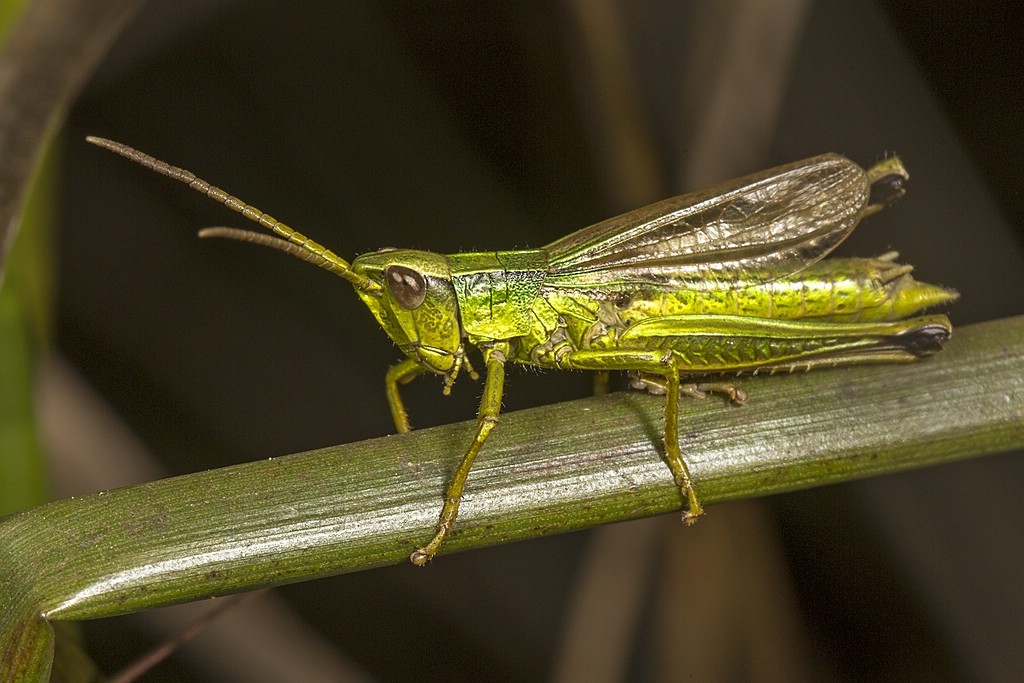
(546, 471)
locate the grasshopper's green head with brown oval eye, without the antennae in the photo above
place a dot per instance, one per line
(416, 306)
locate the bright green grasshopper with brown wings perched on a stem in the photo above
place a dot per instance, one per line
(722, 281)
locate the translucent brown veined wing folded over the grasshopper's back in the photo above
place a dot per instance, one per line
(762, 227)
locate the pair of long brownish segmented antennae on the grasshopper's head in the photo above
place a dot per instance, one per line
(291, 242)
